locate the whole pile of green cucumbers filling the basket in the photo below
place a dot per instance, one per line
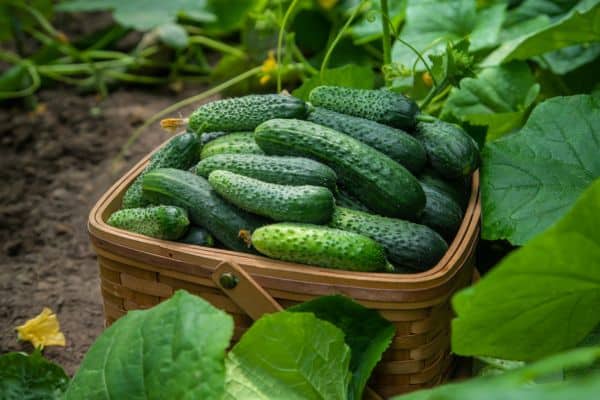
(354, 179)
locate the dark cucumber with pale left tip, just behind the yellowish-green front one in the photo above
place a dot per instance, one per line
(407, 245)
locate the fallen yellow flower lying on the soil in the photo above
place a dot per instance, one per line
(43, 330)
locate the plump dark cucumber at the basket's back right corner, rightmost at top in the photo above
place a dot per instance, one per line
(451, 151)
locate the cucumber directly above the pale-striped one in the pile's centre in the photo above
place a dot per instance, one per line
(295, 171)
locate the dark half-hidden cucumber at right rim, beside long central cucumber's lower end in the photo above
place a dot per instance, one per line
(441, 212)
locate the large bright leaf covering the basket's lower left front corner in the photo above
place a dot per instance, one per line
(175, 350)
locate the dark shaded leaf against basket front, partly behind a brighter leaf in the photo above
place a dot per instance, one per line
(367, 334)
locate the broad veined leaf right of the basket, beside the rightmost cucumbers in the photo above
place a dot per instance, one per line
(531, 178)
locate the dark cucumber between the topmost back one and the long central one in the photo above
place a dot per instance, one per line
(395, 143)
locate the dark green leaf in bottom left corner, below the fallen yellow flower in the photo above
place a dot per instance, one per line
(30, 377)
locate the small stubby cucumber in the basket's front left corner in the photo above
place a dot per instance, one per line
(161, 222)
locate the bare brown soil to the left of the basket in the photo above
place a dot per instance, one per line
(54, 164)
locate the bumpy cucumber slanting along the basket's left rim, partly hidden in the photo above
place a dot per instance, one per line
(180, 152)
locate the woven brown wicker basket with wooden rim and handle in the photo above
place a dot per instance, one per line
(138, 272)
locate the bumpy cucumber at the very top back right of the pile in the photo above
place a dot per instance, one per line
(381, 106)
